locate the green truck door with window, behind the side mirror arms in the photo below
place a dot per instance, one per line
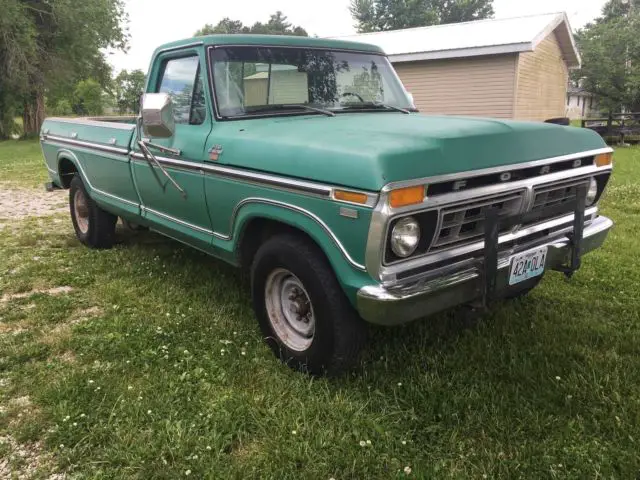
(178, 213)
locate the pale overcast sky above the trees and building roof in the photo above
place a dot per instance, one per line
(153, 22)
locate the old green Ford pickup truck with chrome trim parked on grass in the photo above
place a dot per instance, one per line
(304, 161)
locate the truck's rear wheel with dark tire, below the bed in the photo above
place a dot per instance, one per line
(94, 227)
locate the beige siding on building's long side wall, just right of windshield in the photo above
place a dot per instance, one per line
(478, 86)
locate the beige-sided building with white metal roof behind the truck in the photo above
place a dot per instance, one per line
(514, 68)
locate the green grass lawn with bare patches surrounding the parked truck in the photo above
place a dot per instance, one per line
(145, 361)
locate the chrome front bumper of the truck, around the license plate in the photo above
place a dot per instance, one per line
(461, 283)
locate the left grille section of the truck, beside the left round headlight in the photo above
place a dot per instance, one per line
(465, 222)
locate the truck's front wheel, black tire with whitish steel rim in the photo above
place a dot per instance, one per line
(330, 336)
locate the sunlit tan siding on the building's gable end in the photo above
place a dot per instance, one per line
(541, 91)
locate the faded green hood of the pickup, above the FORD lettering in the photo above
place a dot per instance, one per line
(368, 150)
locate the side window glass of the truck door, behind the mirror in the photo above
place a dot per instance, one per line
(182, 80)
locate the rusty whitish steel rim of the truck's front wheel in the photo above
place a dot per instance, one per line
(290, 310)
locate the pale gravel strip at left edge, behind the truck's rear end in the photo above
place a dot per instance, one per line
(16, 203)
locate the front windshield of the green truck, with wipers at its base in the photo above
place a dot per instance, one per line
(266, 80)
